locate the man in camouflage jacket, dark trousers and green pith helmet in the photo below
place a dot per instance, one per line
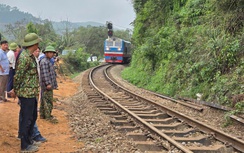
(26, 86)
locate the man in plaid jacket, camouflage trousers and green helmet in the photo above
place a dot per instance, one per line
(48, 83)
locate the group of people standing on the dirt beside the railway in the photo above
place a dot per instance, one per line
(30, 79)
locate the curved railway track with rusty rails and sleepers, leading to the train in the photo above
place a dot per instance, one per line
(152, 126)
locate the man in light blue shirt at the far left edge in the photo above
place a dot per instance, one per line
(4, 70)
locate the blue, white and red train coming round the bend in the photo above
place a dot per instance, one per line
(117, 50)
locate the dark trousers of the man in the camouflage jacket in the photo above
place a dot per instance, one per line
(28, 113)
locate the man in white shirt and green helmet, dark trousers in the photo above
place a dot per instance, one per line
(11, 58)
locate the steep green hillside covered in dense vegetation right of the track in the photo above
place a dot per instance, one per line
(185, 47)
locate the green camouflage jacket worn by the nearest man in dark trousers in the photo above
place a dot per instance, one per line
(26, 77)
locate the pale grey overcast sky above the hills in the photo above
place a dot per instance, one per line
(119, 12)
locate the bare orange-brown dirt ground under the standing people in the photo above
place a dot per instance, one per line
(59, 136)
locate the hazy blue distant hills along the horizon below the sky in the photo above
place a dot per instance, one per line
(10, 15)
